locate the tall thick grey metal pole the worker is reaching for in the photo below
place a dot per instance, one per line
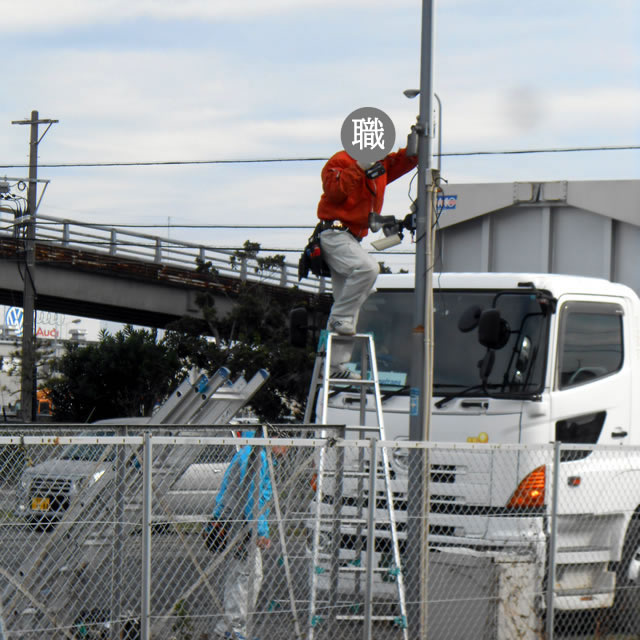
(421, 364)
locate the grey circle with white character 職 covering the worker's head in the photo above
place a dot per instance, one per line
(368, 134)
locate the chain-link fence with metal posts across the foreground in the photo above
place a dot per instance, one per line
(128, 533)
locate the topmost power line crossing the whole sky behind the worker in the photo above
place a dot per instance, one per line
(152, 163)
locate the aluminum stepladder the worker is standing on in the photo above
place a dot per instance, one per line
(322, 381)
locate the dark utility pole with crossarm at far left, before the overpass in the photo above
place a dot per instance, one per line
(28, 378)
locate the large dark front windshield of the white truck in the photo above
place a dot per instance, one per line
(519, 366)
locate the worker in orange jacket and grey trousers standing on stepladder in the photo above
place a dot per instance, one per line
(352, 192)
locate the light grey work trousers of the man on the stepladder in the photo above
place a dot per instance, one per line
(353, 274)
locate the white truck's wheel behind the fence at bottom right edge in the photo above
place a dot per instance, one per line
(626, 606)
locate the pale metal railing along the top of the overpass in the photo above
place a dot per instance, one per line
(118, 242)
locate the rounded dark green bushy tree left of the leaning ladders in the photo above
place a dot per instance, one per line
(123, 375)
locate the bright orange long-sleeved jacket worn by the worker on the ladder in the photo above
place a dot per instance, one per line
(349, 196)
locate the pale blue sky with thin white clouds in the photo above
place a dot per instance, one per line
(202, 80)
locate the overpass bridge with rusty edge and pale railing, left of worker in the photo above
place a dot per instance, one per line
(115, 274)
